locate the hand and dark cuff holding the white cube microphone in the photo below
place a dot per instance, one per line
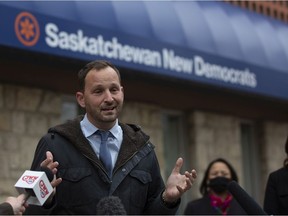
(13, 205)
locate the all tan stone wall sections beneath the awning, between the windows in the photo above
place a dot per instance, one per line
(27, 113)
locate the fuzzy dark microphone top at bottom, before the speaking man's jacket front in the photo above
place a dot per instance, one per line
(110, 205)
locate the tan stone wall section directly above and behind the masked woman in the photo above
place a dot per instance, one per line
(214, 136)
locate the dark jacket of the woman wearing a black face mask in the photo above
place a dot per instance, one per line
(203, 207)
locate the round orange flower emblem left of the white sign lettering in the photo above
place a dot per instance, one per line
(27, 29)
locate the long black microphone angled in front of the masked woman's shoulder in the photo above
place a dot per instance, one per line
(244, 199)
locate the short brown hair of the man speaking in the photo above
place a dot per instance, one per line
(97, 65)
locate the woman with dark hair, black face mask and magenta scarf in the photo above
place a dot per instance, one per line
(216, 197)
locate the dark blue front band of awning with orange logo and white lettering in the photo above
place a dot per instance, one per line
(33, 31)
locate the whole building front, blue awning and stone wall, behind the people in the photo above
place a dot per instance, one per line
(178, 95)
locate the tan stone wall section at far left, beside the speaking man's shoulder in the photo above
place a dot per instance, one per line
(25, 115)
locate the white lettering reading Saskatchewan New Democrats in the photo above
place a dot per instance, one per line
(166, 59)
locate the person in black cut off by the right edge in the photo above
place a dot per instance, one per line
(276, 192)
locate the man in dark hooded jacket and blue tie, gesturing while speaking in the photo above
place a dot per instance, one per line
(96, 156)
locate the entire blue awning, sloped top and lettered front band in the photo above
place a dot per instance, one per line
(203, 41)
